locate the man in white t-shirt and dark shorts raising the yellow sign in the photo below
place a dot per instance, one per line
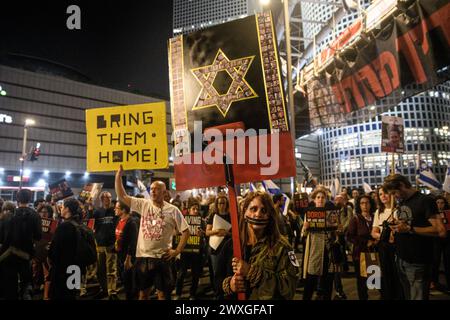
(159, 222)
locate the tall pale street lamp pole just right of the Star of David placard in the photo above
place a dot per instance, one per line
(287, 31)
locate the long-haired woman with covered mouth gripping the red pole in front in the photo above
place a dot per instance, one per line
(268, 269)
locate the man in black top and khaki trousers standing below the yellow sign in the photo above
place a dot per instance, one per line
(105, 226)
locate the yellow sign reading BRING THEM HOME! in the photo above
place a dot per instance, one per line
(134, 136)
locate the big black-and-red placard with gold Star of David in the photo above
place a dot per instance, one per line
(227, 98)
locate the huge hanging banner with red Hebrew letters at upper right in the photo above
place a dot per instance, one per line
(408, 55)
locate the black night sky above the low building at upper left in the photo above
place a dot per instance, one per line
(121, 44)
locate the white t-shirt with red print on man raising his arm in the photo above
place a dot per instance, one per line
(157, 227)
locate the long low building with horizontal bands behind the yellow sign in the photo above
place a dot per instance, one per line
(56, 98)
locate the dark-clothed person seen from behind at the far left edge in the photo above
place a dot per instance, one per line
(21, 231)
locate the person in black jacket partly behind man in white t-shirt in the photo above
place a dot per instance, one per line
(126, 240)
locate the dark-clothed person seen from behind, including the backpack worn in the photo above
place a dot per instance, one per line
(72, 247)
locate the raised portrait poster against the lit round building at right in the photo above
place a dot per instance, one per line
(392, 134)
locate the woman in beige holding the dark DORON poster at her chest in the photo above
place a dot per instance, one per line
(319, 261)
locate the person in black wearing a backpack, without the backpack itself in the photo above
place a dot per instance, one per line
(62, 252)
